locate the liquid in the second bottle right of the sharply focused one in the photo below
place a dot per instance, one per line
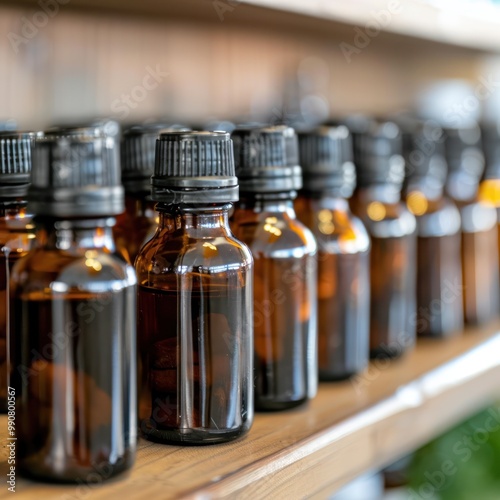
(342, 331)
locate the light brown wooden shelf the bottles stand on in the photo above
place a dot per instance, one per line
(350, 428)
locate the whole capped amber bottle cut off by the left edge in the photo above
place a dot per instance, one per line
(16, 231)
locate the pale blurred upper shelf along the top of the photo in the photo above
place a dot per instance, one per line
(474, 25)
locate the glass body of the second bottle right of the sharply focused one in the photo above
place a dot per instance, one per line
(343, 284)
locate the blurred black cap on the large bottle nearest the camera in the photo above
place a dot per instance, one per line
(76, 173)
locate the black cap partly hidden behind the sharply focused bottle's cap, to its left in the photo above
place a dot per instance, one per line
(138, 154)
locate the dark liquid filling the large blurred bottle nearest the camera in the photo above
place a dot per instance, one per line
(75, 387)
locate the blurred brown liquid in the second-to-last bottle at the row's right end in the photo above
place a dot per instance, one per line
(439, 286)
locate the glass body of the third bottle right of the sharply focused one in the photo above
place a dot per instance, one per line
(392, 229)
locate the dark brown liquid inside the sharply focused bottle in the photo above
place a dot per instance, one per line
(193, 356)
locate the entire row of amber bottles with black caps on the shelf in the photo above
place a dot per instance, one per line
(264, 260)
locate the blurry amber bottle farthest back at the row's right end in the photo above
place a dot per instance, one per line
(479, 225)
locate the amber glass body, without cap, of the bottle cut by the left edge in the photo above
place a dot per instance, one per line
(17, 235)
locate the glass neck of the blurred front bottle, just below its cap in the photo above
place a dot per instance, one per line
(75, 234)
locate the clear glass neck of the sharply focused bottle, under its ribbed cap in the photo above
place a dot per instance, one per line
(193, 218)
